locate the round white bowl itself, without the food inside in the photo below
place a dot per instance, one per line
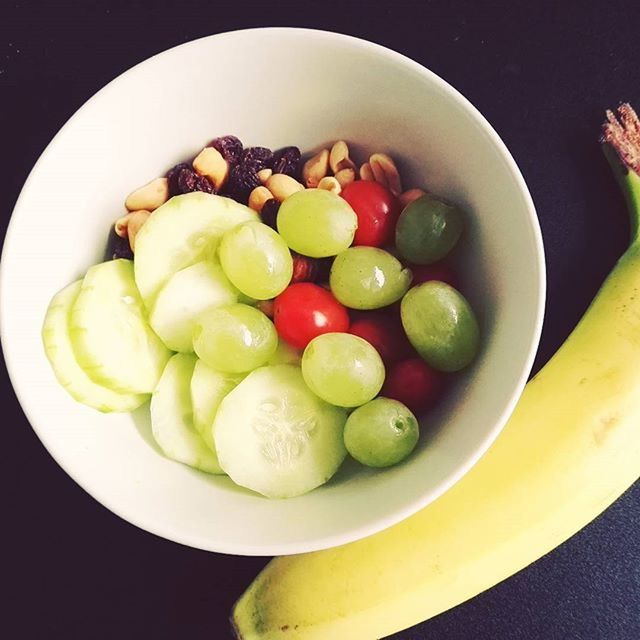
(270, 87)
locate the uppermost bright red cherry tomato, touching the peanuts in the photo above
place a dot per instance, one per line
(377, 210)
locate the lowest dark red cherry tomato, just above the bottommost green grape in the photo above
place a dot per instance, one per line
(414, 383)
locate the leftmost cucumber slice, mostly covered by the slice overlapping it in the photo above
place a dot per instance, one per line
(57, 347)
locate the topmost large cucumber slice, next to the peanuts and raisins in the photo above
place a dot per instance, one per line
(183, 231)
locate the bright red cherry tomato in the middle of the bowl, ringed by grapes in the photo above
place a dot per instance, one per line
(305, 310)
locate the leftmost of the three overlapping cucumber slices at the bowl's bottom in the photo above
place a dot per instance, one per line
(172, 417)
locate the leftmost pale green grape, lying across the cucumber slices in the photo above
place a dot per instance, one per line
(235, 338)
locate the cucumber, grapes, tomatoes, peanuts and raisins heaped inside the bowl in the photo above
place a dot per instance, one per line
(258, 300)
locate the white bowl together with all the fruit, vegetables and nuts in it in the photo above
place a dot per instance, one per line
(323, 293)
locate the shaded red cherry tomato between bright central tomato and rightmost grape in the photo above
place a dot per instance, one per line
(383, 330)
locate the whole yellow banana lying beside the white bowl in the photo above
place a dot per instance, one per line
(571, 447)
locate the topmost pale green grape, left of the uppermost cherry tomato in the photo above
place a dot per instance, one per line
(317, 223)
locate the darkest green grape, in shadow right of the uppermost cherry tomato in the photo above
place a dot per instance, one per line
(428, 229)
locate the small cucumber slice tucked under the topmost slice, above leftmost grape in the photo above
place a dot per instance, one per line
(188, 294)
